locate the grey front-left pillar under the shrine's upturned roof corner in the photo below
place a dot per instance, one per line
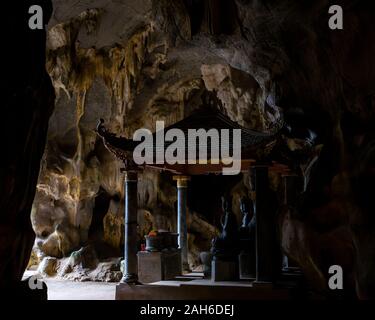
(131, 237)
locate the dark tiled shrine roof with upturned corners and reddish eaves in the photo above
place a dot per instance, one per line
(255, 146)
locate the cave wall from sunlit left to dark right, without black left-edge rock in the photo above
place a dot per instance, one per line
(135, 62)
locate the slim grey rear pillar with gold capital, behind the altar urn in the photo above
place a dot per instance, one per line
(182, 185)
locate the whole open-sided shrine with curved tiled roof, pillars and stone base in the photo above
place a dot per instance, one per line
(256, 158)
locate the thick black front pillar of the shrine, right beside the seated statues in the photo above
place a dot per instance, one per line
(264, 226)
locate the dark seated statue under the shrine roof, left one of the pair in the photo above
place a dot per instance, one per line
(225, 246)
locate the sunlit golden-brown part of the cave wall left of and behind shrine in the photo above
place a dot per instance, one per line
(130, 74)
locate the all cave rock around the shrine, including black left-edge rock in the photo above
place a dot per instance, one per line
(135, 62)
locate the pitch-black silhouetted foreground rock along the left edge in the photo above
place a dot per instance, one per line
(27, 103)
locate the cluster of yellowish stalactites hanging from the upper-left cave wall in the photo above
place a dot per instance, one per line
(74, 68)
